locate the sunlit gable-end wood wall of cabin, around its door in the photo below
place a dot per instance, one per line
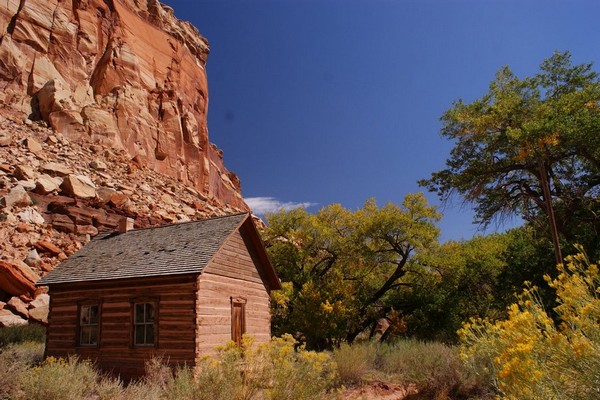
(231, 274)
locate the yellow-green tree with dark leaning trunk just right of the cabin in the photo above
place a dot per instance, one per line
(340, 268)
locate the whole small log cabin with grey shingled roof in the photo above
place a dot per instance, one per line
(176, 291)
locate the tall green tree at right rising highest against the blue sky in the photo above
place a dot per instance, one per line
(529, 147)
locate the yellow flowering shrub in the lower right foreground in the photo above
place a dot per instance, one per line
(529, 355)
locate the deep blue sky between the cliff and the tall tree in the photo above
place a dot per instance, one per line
(336, 101)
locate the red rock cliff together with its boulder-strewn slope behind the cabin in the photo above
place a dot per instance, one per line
(103, 109)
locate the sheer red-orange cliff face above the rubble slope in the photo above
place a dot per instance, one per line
(125, 74)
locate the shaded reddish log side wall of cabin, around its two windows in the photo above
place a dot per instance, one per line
(176, 318)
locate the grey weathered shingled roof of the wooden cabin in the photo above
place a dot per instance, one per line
(184, 248)
